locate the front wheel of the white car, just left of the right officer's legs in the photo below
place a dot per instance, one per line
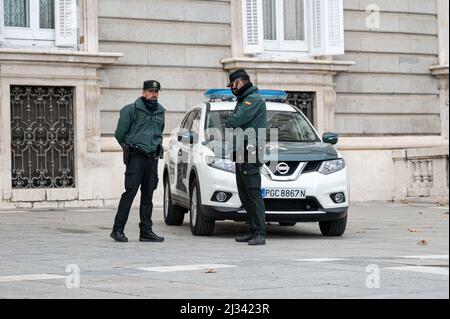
(200, 224)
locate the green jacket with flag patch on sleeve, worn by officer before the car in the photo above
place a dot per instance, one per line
(250, 112)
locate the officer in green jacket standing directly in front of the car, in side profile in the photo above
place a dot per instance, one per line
(249, 113)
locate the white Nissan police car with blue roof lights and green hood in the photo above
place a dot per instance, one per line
(305, 181)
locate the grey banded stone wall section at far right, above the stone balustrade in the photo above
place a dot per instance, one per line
(390, 90)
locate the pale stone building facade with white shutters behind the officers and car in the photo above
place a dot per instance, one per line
(376, 72)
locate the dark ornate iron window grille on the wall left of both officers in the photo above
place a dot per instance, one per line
(42, 137)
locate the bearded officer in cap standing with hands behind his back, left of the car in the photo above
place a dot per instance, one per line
(140, 133)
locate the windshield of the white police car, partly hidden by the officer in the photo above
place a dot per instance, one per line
(292, 126)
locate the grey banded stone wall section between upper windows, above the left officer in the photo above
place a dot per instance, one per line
(177, 42)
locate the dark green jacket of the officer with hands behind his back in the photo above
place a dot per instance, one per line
(141, 127)
